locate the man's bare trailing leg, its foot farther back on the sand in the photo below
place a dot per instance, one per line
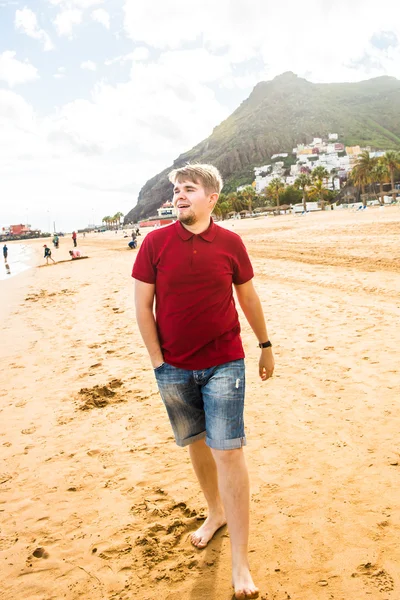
(205, 468)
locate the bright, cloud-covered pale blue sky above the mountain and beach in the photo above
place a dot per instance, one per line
(98, 96)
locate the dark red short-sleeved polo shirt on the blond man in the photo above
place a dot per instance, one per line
(196, 317)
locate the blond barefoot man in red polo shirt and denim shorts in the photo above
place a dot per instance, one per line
(190, 268)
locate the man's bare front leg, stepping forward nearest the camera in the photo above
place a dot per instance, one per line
(234, 487)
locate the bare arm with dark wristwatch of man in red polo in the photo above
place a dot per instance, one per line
(251, 306)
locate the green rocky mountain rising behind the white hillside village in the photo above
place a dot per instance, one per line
(280, 114)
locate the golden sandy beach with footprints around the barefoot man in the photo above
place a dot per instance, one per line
(97, 502)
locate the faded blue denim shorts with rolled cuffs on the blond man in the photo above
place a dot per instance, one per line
(205, 404)
